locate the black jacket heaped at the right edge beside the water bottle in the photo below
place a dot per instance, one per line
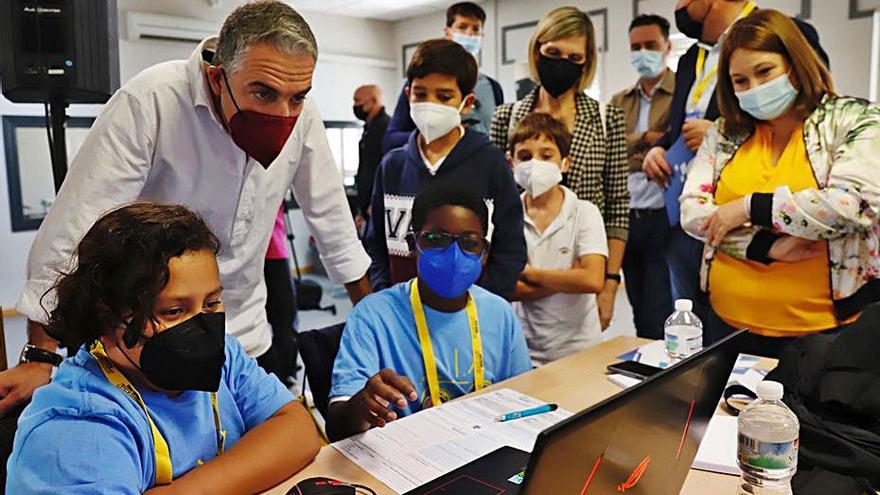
(833, 386)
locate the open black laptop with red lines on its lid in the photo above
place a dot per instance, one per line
(642, 440)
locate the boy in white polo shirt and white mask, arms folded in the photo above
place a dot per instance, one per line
(567, 247)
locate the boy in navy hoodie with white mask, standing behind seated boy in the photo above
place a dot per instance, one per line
(441, 79)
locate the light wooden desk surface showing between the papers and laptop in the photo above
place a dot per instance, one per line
(574, 383)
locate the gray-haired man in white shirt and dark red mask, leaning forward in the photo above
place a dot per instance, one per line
(225, 134)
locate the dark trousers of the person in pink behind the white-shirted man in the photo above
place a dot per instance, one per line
(281, 313)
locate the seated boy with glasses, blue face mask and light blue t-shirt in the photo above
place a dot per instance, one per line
(413, 345)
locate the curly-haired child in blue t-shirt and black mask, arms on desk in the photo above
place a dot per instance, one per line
(156, 397)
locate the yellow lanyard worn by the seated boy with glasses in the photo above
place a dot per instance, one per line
(428, 349)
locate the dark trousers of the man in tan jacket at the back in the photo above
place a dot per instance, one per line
(647, 273)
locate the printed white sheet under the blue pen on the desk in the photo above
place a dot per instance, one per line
(414, 450)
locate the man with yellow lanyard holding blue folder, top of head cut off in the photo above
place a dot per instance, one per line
(693, 111)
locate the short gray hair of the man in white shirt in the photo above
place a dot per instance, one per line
(268, 21)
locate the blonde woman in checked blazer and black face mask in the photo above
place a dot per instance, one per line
(562, 60)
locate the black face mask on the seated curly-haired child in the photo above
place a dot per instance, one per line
(187, 356)
